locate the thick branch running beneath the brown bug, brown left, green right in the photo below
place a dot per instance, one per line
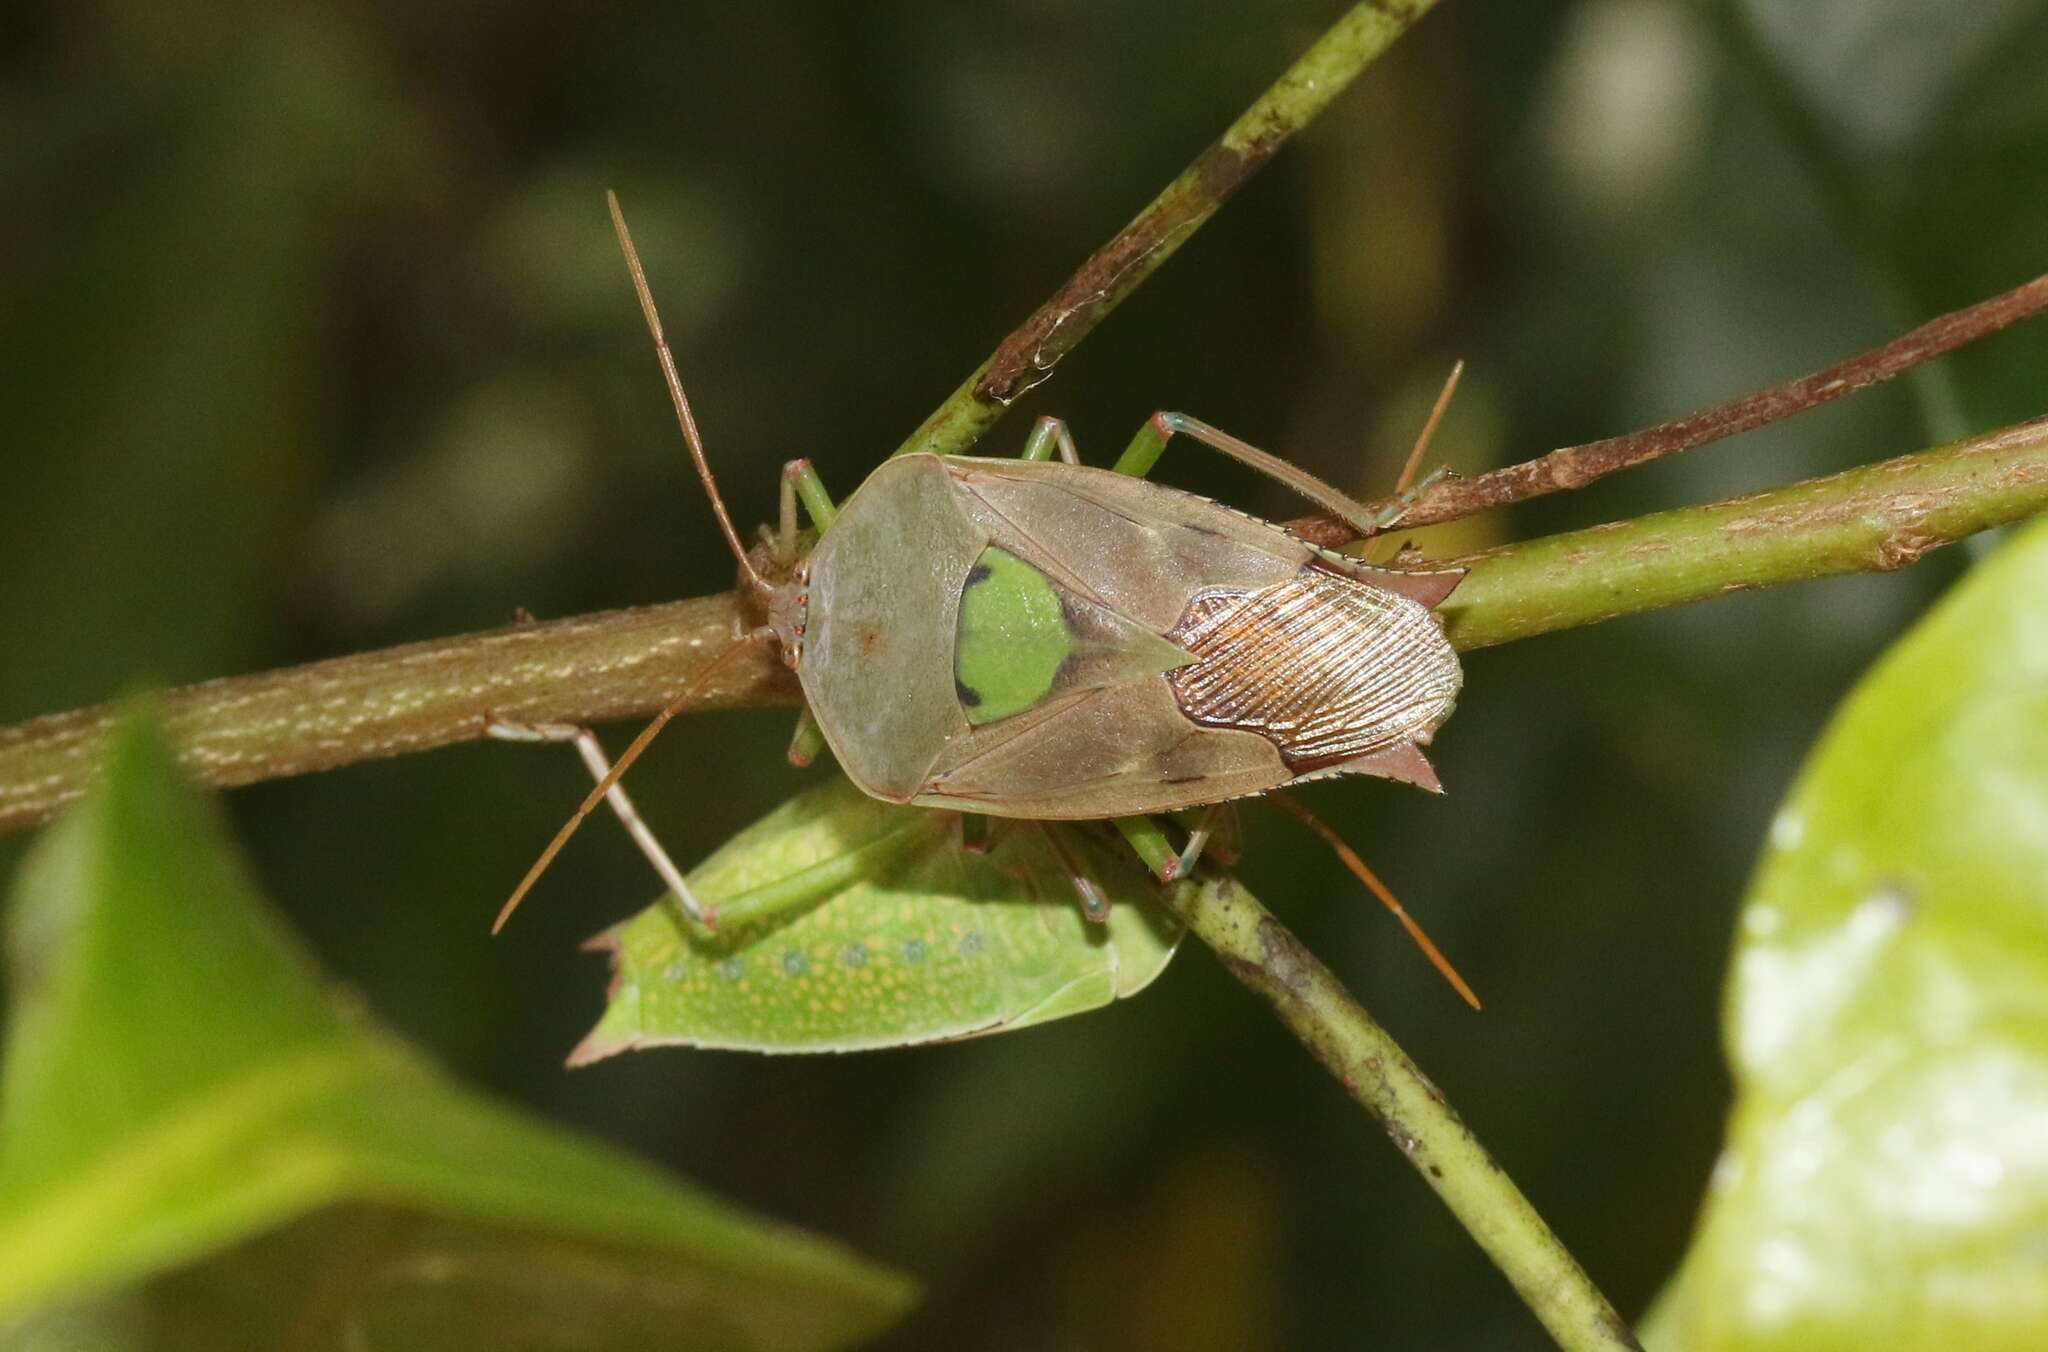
(632, 663)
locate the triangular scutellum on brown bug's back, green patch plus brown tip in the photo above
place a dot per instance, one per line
(1023, 640)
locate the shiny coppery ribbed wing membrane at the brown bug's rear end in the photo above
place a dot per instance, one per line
(1326, 667)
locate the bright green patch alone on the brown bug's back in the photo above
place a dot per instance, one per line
(1013, 638)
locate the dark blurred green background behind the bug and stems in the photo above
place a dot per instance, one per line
(314, 339)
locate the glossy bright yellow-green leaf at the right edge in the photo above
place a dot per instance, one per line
(1887, 1169)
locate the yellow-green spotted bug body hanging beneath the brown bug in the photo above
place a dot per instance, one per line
(853, 925)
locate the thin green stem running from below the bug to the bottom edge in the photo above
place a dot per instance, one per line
(1424, 1128)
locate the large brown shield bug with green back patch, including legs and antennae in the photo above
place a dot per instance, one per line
(1037, 638)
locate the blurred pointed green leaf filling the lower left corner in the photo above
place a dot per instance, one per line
(189, 1115)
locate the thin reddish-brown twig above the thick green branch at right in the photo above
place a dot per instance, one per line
(1580, 466)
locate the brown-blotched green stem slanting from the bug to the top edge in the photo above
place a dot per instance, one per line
(1033, 349)
